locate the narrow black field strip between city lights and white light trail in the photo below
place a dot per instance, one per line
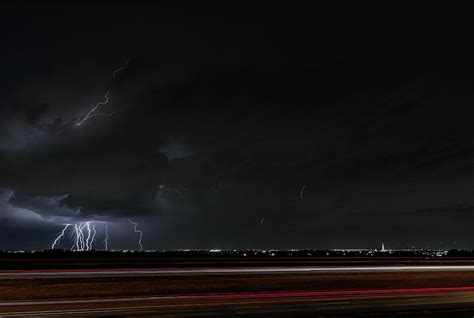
(90, 261)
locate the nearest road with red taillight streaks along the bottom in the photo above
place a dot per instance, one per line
(288, 302)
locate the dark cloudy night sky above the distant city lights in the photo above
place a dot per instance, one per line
(234, 127)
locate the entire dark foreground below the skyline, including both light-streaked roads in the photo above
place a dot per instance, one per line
(303, 287)
